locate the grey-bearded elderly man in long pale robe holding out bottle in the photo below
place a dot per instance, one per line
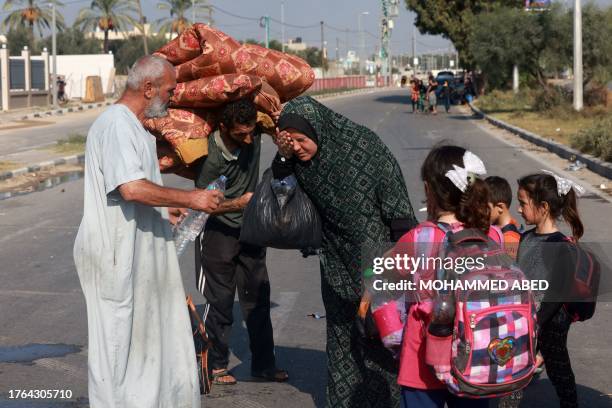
(141, 351)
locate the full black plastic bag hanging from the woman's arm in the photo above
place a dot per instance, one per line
(280, 215)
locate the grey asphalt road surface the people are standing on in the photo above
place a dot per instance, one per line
(41, 301)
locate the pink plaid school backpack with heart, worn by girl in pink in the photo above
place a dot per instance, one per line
(491, 352)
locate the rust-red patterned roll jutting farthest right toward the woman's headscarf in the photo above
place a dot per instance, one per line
(289, 75)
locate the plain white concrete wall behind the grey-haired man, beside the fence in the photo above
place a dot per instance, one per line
(76, 68)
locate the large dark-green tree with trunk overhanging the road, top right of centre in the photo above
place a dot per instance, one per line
(454, 19)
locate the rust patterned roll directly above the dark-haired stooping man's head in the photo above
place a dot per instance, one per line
(213, 92)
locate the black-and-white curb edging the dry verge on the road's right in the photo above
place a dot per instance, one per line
(593, 163)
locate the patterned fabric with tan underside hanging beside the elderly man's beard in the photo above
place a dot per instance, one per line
(185, 130)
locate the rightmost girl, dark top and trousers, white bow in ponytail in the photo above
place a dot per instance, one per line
(544, 198)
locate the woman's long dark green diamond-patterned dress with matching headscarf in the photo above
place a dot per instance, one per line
(358, 188)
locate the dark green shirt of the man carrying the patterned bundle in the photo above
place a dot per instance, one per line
(241, 167)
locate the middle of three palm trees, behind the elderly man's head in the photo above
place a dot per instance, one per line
(108, 15)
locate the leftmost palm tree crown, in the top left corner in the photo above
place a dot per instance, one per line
(31, 14)
